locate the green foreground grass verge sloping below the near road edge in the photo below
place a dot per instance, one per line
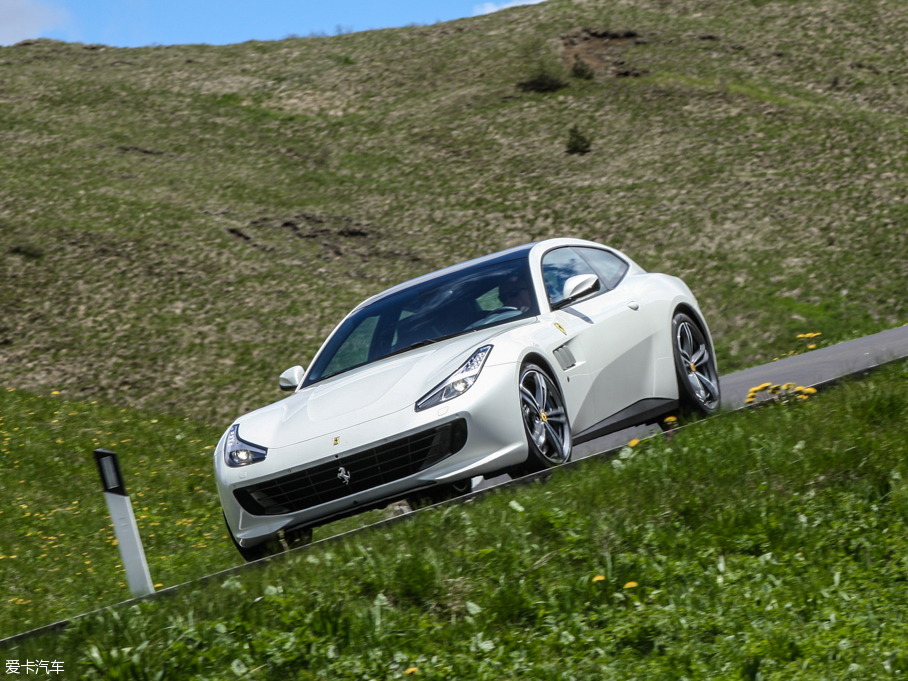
(766, 544)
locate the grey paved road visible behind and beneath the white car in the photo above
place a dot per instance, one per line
(813, 368)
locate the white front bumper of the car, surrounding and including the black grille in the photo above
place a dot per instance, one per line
(264, 498)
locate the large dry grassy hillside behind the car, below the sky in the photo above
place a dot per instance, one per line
(179, 224)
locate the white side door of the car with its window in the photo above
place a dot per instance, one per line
(616, 336)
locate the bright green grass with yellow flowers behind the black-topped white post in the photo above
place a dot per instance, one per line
(58, 554)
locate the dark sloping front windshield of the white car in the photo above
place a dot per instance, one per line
(464, 301)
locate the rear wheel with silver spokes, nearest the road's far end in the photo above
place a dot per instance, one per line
(695, 366)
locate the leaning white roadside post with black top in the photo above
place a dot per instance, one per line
(127, 531)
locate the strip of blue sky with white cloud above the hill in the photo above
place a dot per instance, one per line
(132, 23)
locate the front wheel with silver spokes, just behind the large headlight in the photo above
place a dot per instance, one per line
(545, 420)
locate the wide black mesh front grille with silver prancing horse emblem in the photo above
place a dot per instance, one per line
(367, 469)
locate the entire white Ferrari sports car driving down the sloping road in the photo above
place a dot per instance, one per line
(497, 365)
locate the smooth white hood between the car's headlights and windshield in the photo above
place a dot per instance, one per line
(363, 394)
